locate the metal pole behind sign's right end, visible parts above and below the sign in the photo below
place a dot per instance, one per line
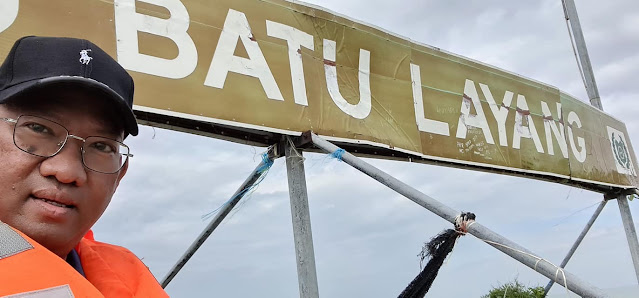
(593, 93)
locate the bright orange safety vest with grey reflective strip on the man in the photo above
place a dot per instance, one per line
(26, 267)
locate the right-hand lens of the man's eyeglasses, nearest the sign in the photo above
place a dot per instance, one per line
(104, 155)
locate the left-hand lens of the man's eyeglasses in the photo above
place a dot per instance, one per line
(39, 136)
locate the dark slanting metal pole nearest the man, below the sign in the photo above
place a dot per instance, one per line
(219, 217)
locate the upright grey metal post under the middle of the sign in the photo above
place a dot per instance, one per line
(306, 274)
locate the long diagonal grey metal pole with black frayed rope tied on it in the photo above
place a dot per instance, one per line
(508, 247)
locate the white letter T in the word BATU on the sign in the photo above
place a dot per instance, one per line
(295, 39)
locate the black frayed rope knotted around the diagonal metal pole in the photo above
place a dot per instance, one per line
(437, 249)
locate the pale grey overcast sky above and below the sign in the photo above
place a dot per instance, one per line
(366, 236)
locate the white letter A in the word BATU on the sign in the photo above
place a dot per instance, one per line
(236, 27)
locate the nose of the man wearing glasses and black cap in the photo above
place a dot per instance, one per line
(66, 166)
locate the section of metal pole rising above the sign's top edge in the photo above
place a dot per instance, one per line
(584, 58)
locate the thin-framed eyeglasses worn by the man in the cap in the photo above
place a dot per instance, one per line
(45, 138)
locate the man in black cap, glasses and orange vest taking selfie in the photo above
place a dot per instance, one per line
(65, 108)
